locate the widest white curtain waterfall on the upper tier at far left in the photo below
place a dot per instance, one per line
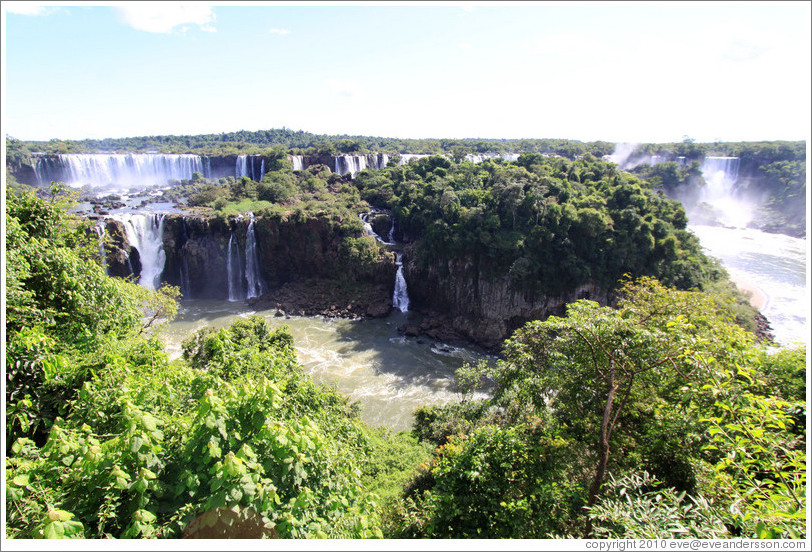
(118, 171)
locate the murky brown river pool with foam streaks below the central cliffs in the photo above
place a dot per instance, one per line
(366, 360)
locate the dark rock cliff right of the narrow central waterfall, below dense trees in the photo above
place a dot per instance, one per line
(461, 303)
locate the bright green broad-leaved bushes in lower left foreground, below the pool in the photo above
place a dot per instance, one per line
(149, 445)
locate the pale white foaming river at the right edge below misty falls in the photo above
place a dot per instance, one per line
(774, 263)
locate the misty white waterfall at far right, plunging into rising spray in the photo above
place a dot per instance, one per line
(721, 174)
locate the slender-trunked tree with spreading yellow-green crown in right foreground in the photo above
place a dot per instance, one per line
(597, 362)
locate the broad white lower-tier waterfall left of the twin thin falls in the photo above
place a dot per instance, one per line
(145, 233)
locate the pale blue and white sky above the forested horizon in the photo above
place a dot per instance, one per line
(614, 71)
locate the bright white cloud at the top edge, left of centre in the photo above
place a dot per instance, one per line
(163, 17)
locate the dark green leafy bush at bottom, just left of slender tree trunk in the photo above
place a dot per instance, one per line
(494, 483)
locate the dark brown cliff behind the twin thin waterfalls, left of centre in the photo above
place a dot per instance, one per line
(288, 251)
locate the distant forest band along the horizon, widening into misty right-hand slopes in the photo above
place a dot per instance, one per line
(773, 174)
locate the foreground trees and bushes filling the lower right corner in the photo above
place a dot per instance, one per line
(669, 384)
